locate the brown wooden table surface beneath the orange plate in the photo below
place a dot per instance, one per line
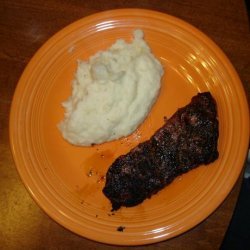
(24, 26)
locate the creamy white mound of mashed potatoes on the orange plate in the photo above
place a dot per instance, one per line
(112, 93)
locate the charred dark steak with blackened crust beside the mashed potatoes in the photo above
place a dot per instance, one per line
(187, 139)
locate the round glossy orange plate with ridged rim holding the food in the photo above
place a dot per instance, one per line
(57, 174)
